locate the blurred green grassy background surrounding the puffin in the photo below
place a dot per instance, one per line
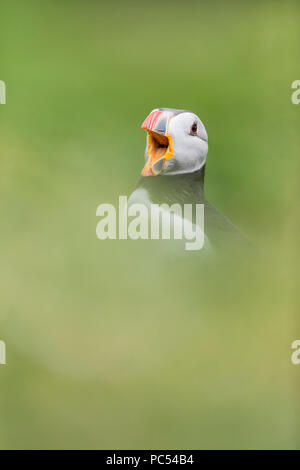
(124, 344)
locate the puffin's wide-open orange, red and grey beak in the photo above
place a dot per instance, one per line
(160, 145)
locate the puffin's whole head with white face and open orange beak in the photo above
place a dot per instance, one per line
(177, 142)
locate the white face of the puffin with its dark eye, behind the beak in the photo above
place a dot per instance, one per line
(190, 145)
